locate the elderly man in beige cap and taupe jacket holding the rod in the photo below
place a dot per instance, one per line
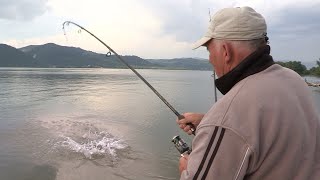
(266, 125)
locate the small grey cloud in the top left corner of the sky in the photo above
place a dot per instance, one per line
(23, 10)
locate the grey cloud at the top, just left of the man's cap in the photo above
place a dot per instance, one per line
(184, 19)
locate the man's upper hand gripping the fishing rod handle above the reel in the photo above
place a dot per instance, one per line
(193, 118)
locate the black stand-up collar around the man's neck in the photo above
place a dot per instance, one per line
(252, 64)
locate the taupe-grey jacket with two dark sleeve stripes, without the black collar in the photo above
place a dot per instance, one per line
(265, 127)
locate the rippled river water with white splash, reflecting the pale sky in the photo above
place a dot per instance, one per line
(96, 123)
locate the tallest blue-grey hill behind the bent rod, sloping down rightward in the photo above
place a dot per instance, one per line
(53, 55)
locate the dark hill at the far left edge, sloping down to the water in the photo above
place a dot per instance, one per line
(12, 57)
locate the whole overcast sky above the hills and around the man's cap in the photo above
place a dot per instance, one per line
(156, 28)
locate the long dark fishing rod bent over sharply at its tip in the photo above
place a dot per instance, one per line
(67, 23)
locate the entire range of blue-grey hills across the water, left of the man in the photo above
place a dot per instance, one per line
(53, 55)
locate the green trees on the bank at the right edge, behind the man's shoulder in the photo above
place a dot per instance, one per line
(301, 69)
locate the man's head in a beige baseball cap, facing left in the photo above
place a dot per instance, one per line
(233, 34)
